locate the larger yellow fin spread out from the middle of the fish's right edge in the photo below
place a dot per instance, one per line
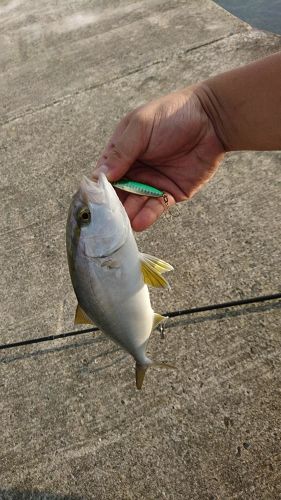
(152, 270)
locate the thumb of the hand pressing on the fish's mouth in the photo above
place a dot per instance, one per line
(125, 147)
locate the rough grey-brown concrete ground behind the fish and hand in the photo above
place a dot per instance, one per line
(73, 425)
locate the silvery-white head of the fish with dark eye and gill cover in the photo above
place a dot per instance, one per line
(98, 224)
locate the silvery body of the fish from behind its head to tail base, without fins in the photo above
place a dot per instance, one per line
(112, 293)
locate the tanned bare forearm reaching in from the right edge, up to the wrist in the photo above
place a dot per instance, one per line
(244, 105)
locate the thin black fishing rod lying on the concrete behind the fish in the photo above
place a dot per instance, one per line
(171, 314)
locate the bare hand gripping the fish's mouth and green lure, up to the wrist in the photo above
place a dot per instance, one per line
(169, 143)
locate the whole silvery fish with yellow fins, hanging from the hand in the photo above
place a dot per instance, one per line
(110, 276)
